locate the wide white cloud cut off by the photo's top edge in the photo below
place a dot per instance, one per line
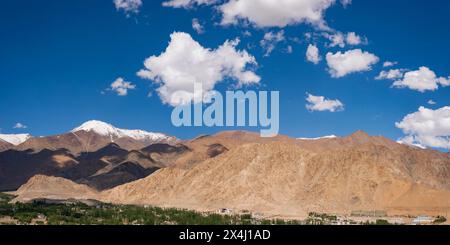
(276, 13)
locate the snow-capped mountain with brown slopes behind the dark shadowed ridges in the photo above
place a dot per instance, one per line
(93, 135)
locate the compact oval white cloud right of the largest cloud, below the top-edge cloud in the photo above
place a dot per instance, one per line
(342, 64)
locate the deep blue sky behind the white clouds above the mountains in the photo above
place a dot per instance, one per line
(57, 59)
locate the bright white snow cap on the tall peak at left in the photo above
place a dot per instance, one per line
(107, 129)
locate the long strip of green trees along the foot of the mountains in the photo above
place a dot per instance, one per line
(106, 214)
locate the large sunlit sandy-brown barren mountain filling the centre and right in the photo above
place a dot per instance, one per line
(288, 177)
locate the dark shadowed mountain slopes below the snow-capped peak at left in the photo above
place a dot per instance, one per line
(105, 168)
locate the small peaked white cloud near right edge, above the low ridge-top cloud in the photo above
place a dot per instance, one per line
(421, 80)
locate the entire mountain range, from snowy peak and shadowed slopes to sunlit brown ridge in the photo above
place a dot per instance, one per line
(278, 176)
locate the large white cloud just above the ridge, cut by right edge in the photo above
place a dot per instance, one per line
(427, 127)
